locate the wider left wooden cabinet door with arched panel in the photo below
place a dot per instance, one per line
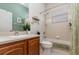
(14, 49)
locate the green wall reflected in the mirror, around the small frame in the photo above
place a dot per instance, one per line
(17, 10)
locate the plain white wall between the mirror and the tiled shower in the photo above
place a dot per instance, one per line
(34, 10)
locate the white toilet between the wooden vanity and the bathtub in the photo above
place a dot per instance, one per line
(45, 44)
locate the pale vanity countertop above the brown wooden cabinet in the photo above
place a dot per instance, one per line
(8, 39)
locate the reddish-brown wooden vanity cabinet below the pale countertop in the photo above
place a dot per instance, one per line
(23, 47)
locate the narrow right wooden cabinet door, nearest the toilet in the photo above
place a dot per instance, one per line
(33, 47)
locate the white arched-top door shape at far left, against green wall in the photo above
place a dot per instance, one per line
(5, 20)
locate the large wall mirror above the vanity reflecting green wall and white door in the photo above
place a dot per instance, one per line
(13, 16)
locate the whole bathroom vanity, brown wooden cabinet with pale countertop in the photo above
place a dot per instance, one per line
(20, 45)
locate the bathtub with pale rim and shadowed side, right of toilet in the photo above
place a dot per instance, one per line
(62, 44)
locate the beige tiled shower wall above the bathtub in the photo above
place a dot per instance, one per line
(60, 28)
